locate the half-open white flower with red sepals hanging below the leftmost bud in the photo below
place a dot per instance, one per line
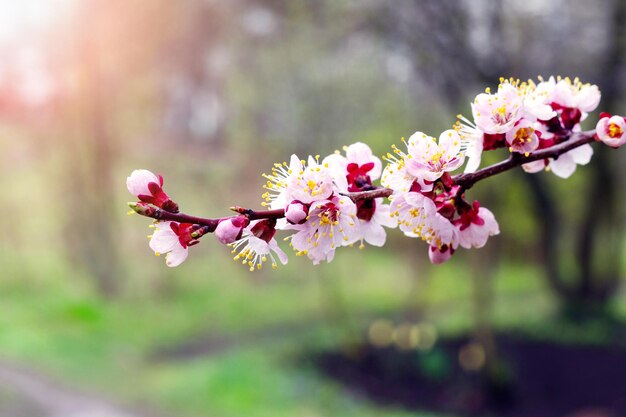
(173, 239)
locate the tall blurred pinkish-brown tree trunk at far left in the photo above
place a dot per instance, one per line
(90, 198)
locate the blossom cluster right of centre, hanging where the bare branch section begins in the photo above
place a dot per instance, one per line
(428, 204)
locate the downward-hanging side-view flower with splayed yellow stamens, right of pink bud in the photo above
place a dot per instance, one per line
(257, 244)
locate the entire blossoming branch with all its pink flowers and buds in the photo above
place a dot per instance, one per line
(324, 204)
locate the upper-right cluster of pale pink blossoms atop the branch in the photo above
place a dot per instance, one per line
(526, 117)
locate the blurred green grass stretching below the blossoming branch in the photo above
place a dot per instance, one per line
(53, 320)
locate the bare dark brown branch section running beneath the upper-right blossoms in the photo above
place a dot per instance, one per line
(577, 139)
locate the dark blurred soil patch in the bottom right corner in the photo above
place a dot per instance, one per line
(540, 379)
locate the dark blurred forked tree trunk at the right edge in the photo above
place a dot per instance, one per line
(599, 235)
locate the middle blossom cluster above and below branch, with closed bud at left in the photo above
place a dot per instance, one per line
(317, 208)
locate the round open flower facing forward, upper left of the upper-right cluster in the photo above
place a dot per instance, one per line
(498, 113)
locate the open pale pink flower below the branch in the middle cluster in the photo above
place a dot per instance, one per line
(331, 224)
